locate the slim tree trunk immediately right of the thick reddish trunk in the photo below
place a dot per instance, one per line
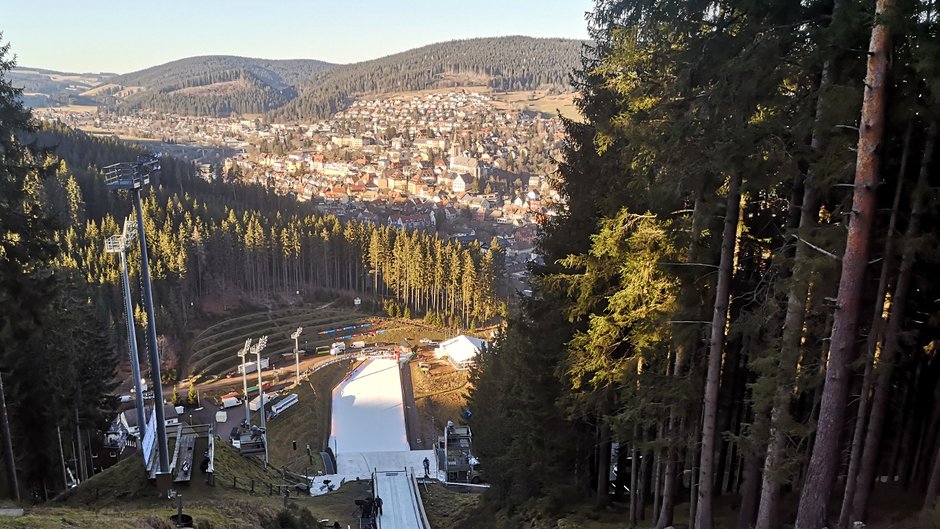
(874, 341)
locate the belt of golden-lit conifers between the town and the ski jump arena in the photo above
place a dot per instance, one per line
(215, 240)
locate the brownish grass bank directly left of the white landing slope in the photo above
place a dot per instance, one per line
(307, 422)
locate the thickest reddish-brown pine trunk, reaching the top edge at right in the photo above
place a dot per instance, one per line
(824, 461)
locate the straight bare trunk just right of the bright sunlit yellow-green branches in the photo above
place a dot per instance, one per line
(703, 513)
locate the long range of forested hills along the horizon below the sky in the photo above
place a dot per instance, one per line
(302, 89)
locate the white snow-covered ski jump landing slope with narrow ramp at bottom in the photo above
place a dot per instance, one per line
(369, 440)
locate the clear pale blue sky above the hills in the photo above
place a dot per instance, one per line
(123, 36)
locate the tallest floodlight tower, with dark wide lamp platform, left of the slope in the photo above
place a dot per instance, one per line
(132, 176)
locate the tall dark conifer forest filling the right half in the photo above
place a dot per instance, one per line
(742, 293)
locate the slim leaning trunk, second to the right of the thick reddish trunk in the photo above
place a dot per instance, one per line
(882, 389)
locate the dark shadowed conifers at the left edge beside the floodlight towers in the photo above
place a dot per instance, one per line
(57, 357)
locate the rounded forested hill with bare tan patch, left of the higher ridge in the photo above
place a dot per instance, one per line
(216, 85)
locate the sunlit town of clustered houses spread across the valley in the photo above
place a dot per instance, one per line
(453, 162)
